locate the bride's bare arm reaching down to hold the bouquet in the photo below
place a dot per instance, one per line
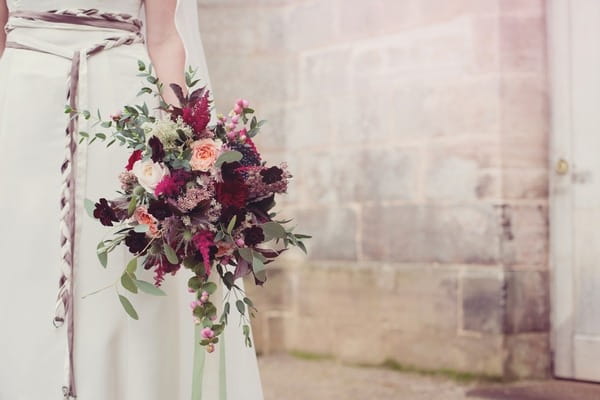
(165, 45)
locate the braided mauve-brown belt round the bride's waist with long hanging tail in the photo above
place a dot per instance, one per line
(132, 34)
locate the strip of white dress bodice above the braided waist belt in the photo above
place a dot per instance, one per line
(131, 7)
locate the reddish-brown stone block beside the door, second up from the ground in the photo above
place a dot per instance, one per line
(527, 302)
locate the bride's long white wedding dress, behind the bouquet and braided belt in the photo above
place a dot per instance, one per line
(114, 357)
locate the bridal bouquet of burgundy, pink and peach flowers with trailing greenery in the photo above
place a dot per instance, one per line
(194, 196)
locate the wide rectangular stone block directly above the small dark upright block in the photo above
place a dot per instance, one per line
(445, 234)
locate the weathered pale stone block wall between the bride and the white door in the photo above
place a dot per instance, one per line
(416, 131)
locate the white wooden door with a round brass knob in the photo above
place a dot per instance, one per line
(574, 59)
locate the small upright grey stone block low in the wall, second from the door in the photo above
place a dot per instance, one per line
(482, 301)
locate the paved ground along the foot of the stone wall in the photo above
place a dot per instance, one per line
(288, 378)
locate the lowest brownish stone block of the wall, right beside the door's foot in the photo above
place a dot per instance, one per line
(528, 356)
